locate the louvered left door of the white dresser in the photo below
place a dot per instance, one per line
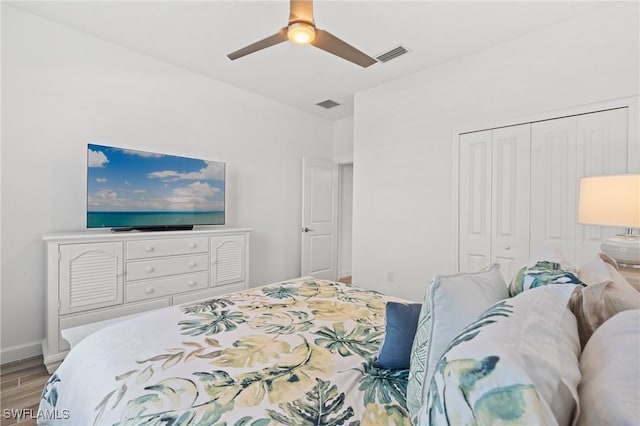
(90, 276)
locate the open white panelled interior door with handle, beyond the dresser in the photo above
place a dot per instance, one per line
(319, 218)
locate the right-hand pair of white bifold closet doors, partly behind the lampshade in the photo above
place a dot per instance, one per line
(563, 151)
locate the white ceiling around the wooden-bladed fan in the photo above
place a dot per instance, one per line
(197, 35)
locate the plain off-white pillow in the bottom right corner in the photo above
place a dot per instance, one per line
(610, 387)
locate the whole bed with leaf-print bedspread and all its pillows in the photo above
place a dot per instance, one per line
(557, 346)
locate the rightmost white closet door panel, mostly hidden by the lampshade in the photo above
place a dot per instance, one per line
(602, 149)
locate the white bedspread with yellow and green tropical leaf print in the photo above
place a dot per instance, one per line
(294, 353)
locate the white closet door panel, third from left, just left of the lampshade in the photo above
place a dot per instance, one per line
(553, 186)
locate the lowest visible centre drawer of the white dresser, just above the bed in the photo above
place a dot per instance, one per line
(166, 286)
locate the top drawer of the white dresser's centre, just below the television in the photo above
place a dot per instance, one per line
(144, 249)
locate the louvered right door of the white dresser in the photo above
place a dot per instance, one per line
(228, 254)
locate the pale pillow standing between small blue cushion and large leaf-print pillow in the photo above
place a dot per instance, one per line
(451, 303)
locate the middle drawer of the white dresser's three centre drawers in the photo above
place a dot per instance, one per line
(145, 269)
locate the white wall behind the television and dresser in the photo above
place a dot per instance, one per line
(62, 89)
